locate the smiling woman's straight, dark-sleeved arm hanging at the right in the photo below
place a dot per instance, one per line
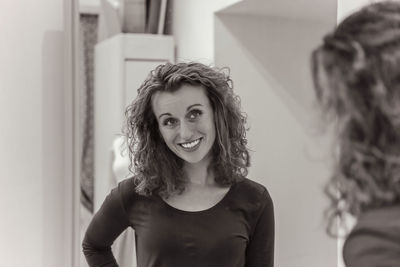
(260, 251)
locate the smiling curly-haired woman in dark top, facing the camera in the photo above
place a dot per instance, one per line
(189, 201)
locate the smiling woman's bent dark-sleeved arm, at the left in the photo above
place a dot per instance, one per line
(106, 225)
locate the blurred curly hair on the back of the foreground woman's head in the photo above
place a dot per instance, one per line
(356, 74)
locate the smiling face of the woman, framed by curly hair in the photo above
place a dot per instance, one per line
(186, 122)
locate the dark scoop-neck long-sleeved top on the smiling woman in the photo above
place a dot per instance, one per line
(237, 232)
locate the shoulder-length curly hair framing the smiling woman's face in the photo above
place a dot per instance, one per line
(158, 170)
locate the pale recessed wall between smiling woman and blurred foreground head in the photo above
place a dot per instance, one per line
(269, 61)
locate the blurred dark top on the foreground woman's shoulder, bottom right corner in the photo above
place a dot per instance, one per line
(375, 239)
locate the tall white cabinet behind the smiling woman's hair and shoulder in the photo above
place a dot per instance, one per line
(121, 65)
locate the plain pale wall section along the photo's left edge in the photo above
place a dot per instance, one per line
(32, 182)
